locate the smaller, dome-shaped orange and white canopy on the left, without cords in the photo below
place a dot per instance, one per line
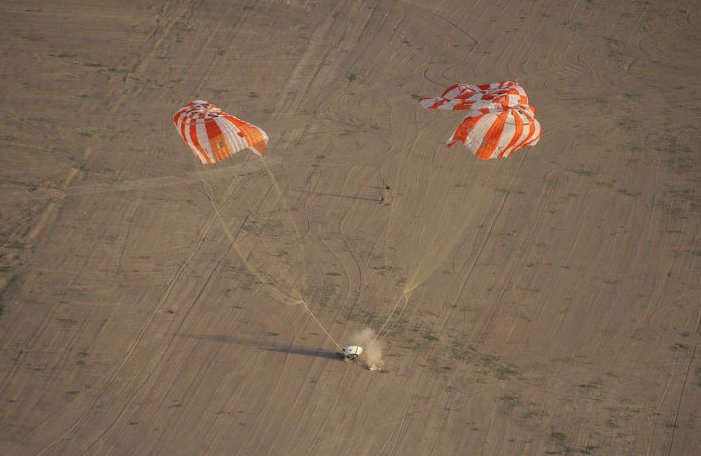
(214, 135)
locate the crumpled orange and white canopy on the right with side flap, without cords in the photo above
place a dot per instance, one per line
(499, 120)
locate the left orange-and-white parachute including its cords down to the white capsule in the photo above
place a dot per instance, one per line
(269, 231)
